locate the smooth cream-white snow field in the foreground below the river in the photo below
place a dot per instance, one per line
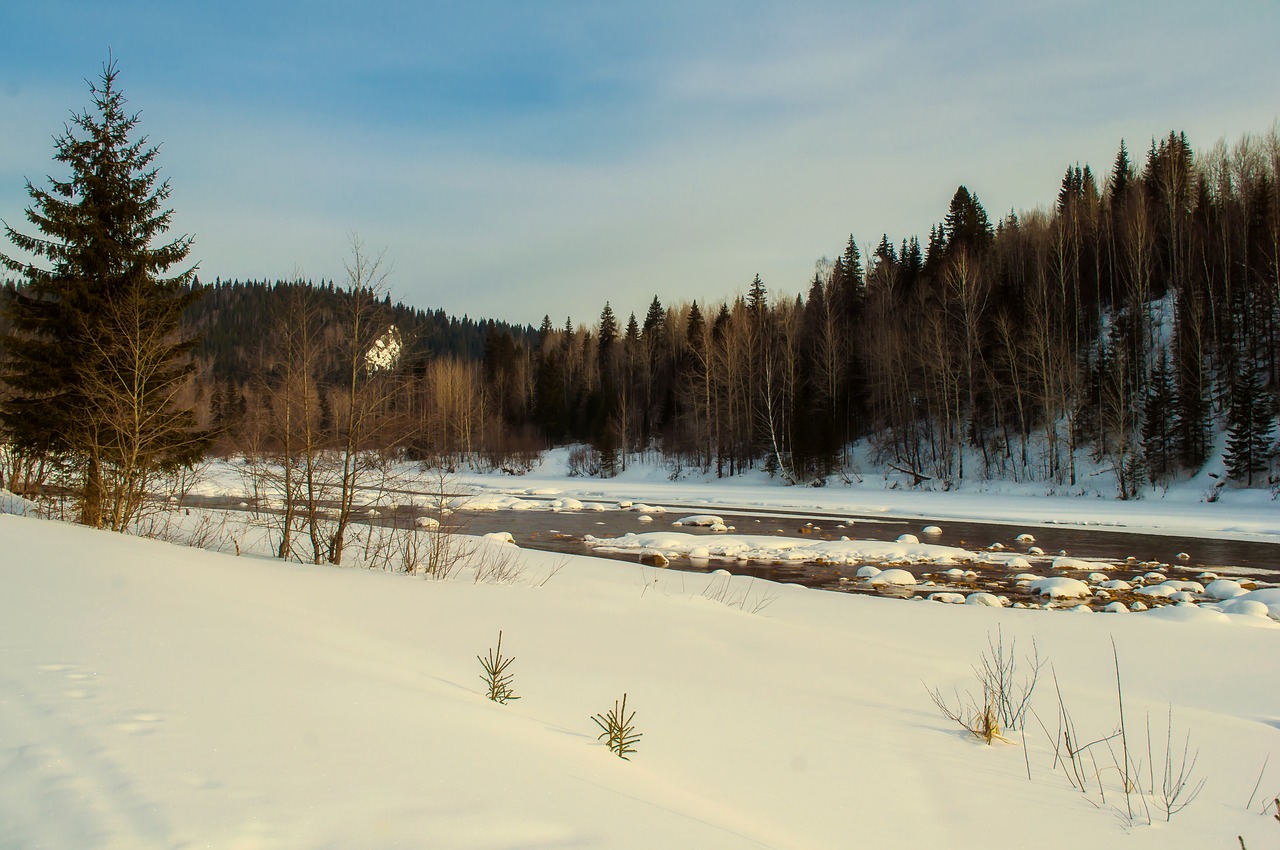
(162, 697)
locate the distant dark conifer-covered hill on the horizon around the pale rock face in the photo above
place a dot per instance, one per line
(237, 318)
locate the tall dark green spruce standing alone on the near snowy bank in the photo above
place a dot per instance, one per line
(97, 354)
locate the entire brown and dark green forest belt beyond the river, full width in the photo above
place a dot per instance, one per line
(1131, 325)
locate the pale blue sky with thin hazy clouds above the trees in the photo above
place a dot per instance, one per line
(516, 159)
